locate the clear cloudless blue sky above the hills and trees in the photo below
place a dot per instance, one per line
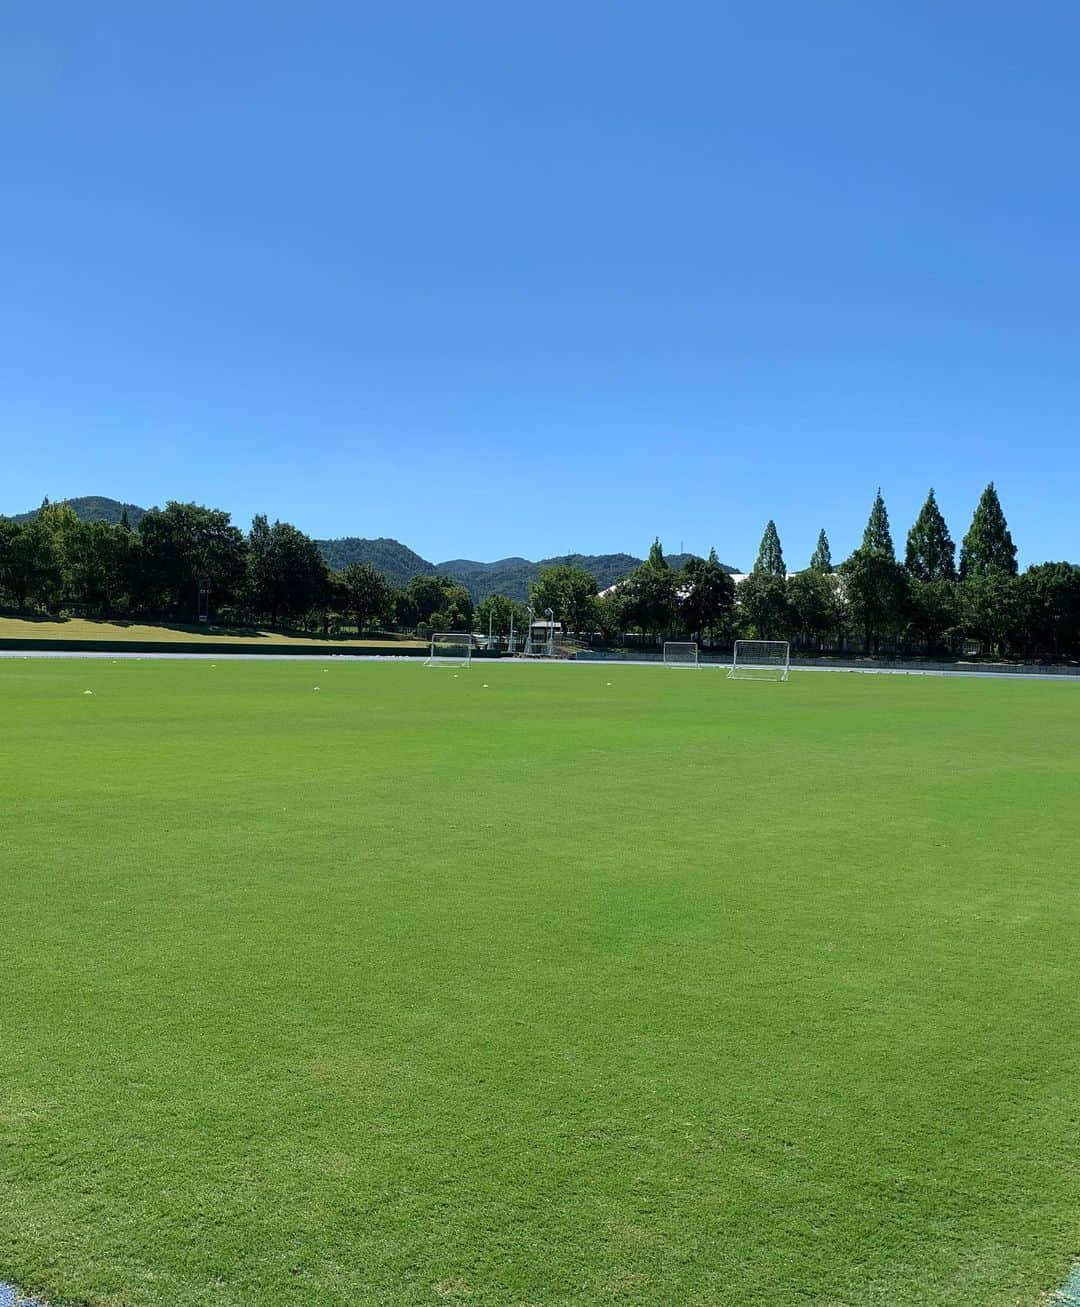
(534, 278)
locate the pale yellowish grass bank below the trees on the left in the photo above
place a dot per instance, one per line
(83, 631)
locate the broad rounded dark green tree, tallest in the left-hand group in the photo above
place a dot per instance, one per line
(182, 543)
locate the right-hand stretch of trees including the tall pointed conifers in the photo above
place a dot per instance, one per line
(929, 603)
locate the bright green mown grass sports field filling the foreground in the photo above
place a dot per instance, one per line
(594, 986)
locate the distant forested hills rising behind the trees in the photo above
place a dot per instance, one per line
(511, 577)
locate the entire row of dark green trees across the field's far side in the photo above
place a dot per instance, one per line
(926, 603)
